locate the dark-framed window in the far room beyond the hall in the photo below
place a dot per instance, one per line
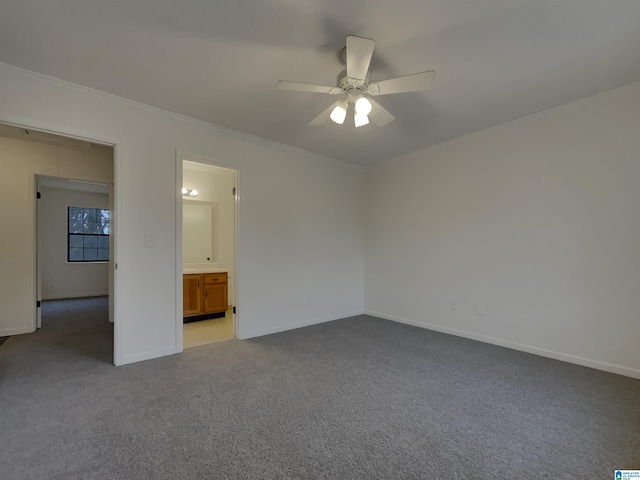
(88, 234)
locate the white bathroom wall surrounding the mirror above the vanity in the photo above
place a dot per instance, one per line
(216, 185)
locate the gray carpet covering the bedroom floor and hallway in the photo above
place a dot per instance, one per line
(360, 398)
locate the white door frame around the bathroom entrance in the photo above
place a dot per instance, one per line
(182, 155)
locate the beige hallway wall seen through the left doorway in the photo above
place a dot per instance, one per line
(20, 162)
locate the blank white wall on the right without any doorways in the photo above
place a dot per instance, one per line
(536, 220)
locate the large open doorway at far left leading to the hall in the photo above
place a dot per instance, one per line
(56, 169)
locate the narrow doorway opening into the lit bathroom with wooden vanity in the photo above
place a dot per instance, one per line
(207, 244)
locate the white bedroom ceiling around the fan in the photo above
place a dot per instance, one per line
(219, 60)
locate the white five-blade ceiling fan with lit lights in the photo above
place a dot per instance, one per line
(356, 88)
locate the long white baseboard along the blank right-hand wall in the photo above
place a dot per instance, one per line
(543, 352)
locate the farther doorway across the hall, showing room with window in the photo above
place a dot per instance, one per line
(73, 270)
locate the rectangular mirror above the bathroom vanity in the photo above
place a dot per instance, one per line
(199, 232)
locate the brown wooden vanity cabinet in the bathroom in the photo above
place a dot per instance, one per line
(204, 294)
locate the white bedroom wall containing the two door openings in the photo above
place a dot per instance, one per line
(300, 227)
